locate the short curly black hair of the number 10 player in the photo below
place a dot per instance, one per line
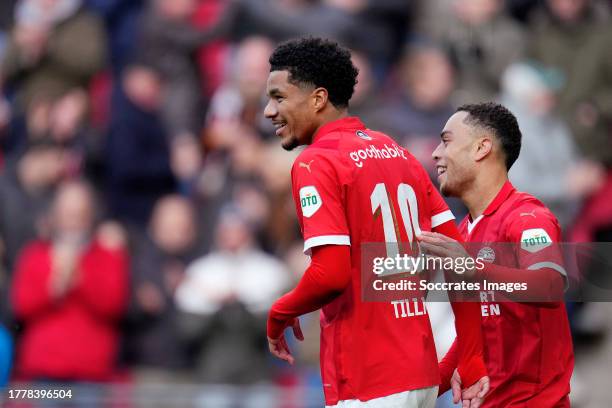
(319, 62)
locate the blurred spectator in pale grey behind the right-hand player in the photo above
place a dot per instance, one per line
(528, 92)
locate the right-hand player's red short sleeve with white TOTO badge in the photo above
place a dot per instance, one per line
(537, 234)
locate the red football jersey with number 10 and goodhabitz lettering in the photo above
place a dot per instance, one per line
(351, 186)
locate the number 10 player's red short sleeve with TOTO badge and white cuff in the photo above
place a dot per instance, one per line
(319, 200)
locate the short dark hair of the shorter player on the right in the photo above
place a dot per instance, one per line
(499, 120)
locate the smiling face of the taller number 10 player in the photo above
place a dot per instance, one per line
(291, 109)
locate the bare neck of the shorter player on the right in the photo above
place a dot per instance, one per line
(483, 191)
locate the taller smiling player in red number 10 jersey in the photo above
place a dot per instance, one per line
(353, 185)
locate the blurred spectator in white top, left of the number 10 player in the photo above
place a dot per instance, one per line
(224, 299)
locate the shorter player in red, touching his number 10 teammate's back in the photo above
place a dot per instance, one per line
(528, 346)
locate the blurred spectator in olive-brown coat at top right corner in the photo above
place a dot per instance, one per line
(574, 36)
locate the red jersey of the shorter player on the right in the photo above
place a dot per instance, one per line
(528, 348)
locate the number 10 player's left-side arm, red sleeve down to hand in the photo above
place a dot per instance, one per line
(318, 197)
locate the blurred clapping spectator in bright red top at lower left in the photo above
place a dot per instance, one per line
(69, 293)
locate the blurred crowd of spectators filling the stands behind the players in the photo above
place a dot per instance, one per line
(146, 217)
